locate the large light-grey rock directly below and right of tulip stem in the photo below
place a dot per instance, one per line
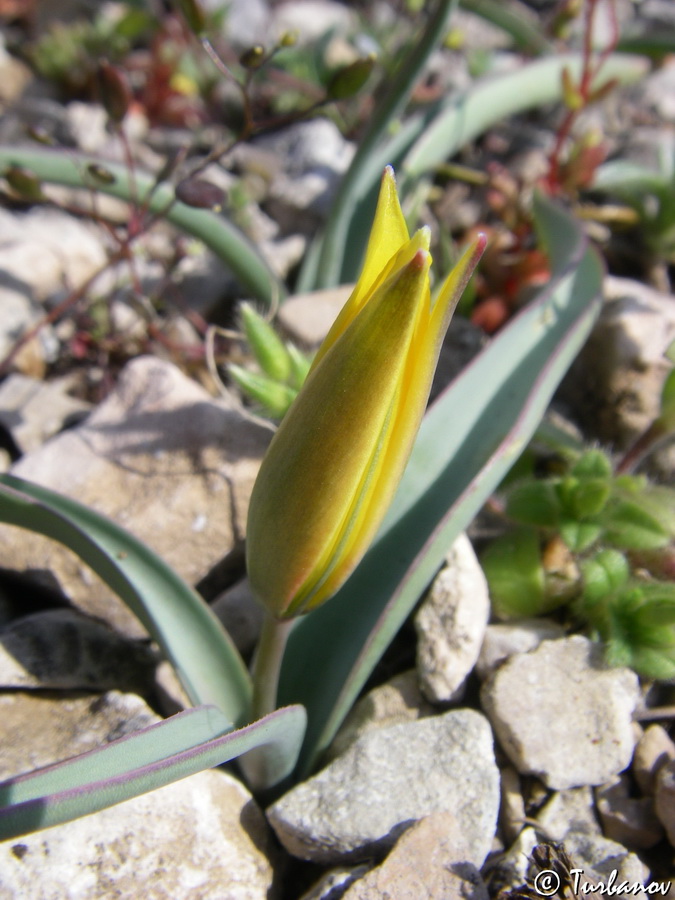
(361, 802)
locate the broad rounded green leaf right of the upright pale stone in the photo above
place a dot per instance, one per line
(512, 566)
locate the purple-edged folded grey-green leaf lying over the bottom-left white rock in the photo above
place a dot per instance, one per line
(166, 752)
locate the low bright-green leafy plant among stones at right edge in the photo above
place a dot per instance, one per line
(594, 542)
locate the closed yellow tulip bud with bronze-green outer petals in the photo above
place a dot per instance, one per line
(334, 464)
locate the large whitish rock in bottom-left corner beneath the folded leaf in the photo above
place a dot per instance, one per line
(203, 837)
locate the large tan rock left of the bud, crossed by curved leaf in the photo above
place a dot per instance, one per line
(160, 457)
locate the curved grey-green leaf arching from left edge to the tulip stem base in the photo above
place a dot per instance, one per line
(190, 635)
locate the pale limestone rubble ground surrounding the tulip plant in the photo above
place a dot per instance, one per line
(483, 739)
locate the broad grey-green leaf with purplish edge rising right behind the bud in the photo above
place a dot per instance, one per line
(469, 439)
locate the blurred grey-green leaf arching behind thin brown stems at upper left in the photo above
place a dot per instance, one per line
(226, 241)
